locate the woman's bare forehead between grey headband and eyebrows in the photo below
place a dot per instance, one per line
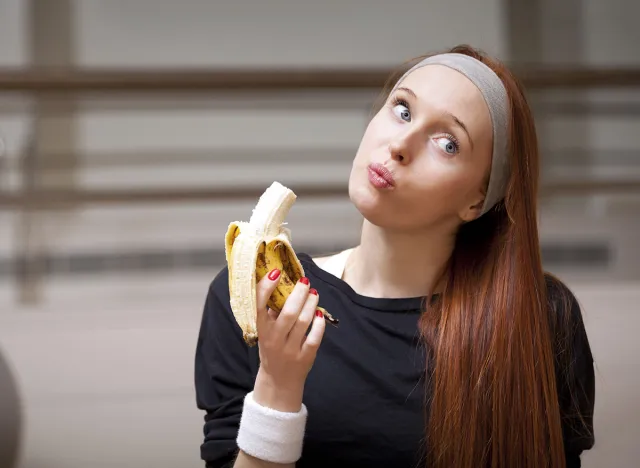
(445, 89)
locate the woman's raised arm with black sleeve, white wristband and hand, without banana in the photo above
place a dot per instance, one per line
(227, 379)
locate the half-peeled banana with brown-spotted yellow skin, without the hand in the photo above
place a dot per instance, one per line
(255, 248)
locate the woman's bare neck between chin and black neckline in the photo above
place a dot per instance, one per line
(395, 264)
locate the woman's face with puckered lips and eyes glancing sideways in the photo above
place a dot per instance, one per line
(433, 141)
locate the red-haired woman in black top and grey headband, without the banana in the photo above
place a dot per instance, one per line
(454, 349)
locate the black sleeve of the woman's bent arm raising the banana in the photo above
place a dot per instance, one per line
(225, 369)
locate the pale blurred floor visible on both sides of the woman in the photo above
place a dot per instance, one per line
(107, 382)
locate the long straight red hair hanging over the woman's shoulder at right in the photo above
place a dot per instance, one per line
(492, 397)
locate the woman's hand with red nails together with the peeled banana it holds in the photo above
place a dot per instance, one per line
(271, 299)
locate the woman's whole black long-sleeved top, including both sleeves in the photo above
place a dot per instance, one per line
(365, 390)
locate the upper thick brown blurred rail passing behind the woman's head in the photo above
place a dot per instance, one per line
(115, 80)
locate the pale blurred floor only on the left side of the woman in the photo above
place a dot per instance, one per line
(109, 383)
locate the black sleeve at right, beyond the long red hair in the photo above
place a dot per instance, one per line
(575, 374)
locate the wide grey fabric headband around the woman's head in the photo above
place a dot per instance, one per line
(495, 95)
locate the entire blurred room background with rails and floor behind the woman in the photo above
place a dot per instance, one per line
(132, 133)
